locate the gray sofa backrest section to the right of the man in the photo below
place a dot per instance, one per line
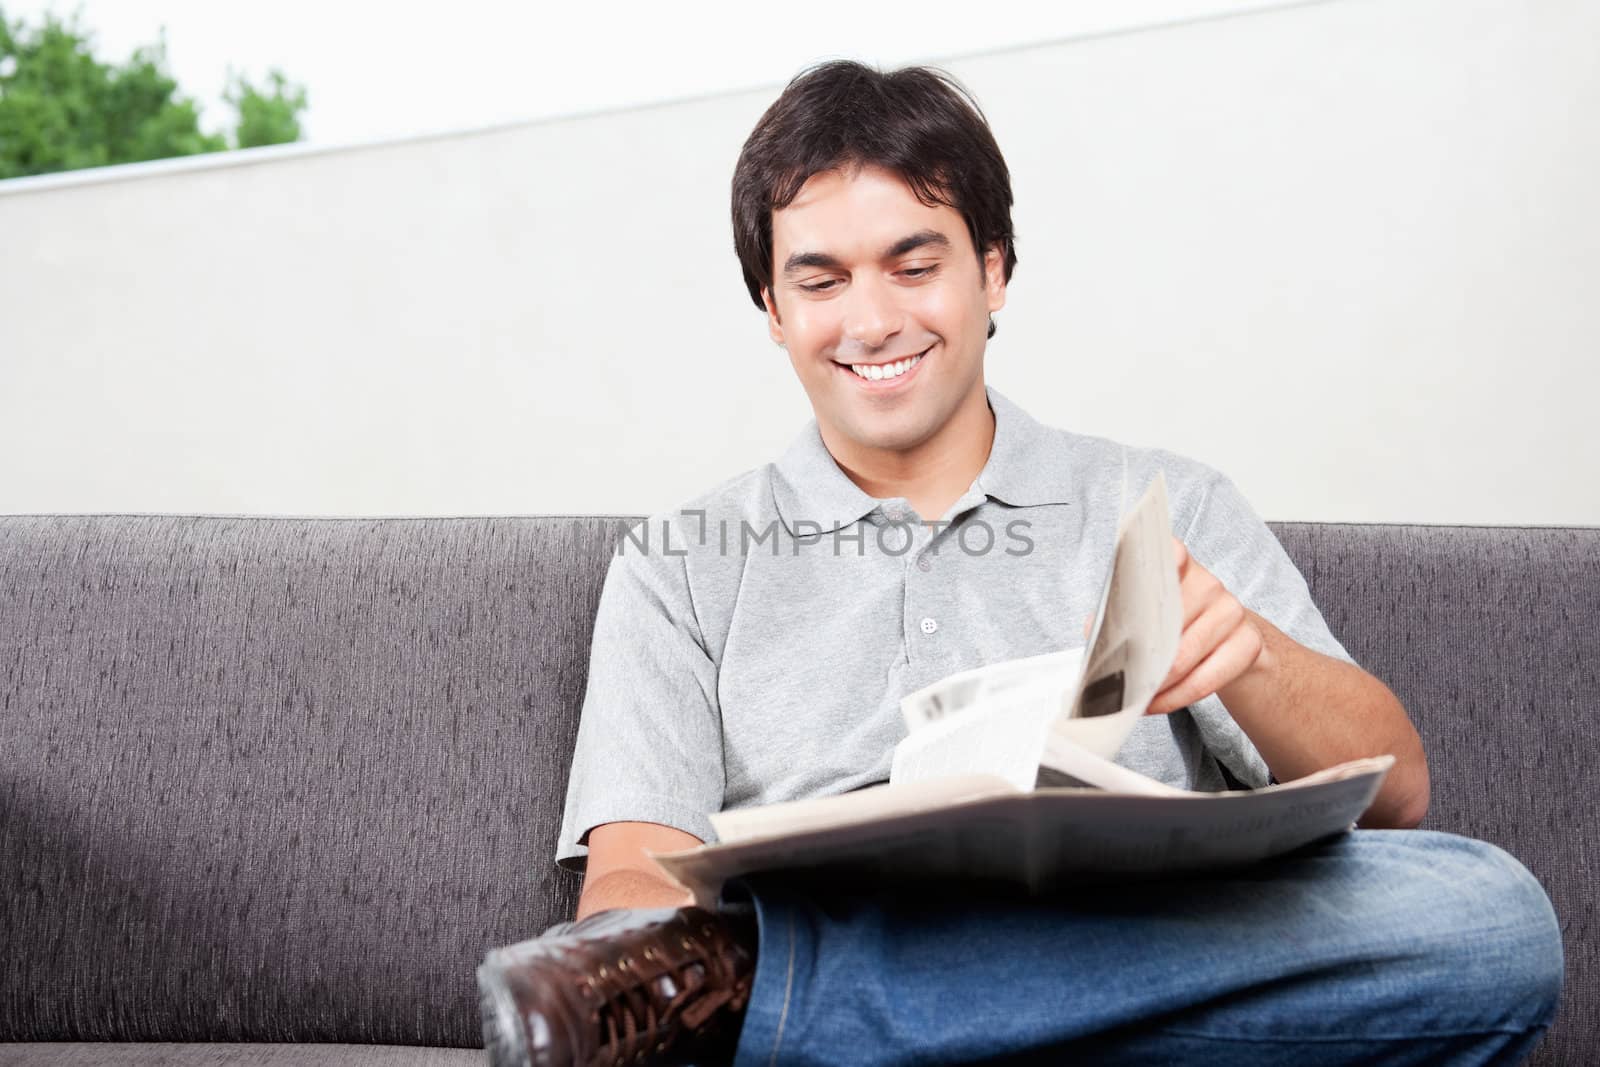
(1492, 639)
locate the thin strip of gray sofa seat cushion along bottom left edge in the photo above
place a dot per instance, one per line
(231, 1055)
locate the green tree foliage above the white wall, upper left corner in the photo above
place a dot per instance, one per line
(63, 110)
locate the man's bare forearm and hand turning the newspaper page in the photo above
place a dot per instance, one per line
(1302, 709)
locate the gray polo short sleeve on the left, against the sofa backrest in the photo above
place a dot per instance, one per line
(650, 732)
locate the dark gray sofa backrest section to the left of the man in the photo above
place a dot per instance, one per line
(282, 780)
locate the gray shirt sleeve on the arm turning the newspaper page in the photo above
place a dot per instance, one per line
(1226, 537)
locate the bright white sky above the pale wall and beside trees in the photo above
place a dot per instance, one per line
(391, 70)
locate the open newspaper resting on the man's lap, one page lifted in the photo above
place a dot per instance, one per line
(1009, 772)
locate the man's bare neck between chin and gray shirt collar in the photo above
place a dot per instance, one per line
(932, 474)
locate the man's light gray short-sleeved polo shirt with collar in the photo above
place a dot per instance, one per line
(754, 645)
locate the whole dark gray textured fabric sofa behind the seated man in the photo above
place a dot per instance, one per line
(270, 788)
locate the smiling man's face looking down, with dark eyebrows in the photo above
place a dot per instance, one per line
(868, 274)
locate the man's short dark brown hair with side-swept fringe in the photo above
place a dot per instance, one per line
(918, 122)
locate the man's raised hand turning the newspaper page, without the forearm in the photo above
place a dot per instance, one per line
(1222, 639)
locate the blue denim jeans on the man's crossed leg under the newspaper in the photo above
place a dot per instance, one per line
(1380, 946)
